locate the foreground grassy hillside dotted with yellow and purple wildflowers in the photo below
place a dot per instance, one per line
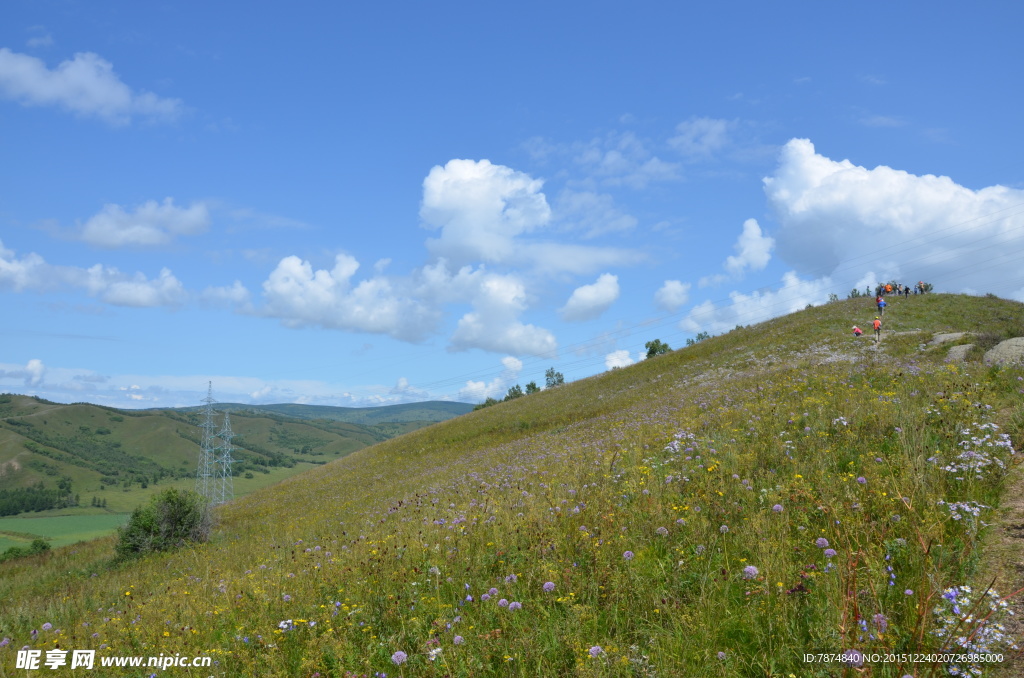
(717, 512)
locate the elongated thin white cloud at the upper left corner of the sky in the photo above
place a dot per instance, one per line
(86, 84)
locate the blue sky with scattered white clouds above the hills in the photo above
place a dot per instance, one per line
(393, 202)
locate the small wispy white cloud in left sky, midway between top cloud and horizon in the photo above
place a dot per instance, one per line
(151, 225)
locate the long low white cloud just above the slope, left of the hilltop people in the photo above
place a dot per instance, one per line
(757, 307)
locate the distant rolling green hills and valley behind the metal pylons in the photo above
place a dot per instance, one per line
(61, 464)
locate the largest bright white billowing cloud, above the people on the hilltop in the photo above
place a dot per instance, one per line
(840, 220)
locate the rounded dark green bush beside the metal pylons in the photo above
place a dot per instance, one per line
(173, 519)
